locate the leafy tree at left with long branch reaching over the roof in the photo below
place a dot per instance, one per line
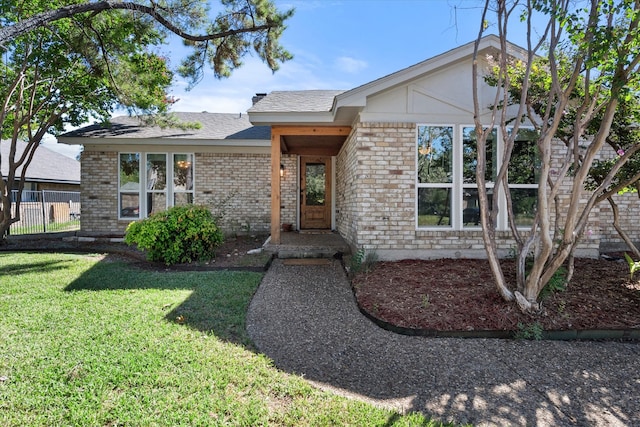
(64, 62)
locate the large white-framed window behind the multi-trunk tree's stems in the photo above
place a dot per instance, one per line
(447, 189)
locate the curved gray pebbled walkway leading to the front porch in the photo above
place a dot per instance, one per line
(305, 318)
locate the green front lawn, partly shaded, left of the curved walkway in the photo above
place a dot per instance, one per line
(93, 341)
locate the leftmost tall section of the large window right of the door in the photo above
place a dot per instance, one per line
(435, 175)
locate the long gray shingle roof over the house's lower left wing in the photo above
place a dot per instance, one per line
(215, 126)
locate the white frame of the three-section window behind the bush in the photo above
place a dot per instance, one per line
(143, 190)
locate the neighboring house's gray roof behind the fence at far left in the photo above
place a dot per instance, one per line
(46, 166)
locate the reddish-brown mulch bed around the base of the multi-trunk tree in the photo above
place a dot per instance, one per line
(460, 295)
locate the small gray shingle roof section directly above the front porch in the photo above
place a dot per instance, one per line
(300, 101)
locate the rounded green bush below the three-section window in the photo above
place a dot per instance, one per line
(178, 235)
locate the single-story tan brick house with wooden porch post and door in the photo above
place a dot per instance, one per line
(388, 165)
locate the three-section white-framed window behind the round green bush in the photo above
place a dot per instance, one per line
(157, 187)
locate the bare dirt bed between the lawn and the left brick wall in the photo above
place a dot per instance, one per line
(232, 254)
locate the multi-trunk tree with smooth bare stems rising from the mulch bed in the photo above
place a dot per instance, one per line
(587, 53)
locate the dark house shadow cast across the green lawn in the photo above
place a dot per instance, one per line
(217, 304)
